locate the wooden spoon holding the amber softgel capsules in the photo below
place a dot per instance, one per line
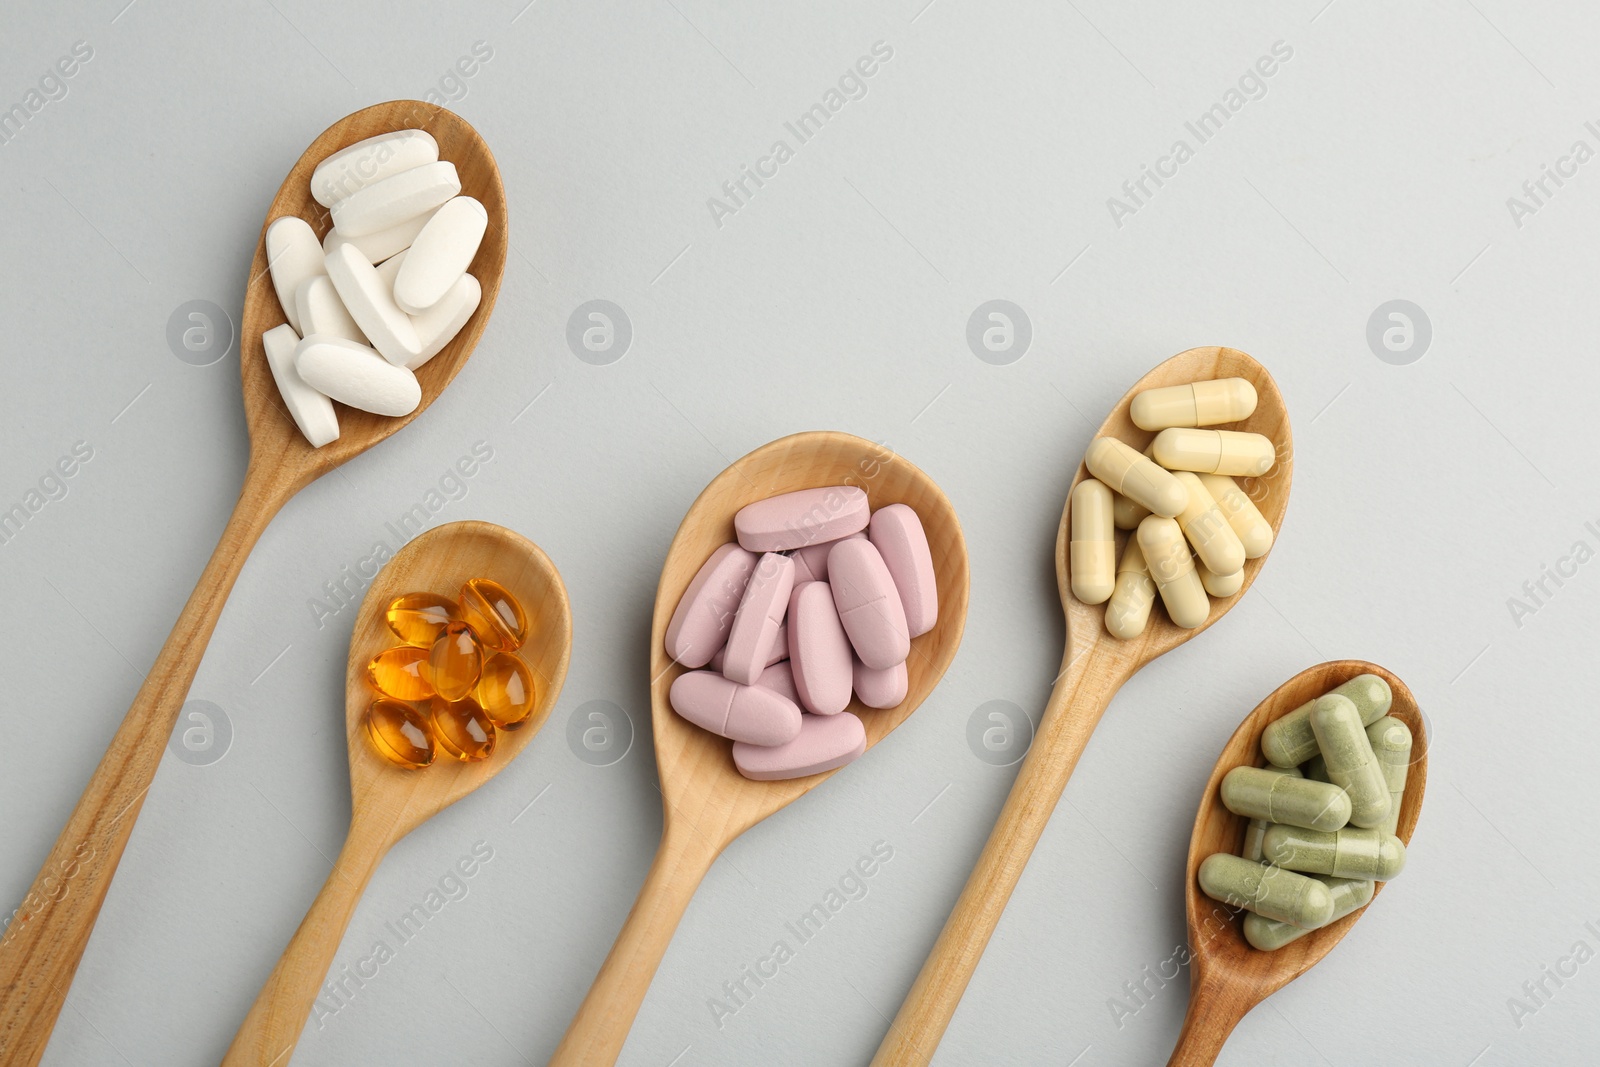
(386, 801)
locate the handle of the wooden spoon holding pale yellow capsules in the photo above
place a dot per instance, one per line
(1076, 706)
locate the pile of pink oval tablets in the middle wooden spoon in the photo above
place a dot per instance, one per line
(817, 601)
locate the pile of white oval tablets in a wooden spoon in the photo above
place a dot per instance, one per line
(388, 289)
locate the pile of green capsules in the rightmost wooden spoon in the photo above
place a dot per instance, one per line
(1322, 815)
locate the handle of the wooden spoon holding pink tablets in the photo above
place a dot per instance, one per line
(598, 1033)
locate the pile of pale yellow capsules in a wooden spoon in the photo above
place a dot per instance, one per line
(1193, 526)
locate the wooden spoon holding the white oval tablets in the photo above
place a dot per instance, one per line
(42, 946)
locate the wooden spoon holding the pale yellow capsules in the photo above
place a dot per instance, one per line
(1094, 666)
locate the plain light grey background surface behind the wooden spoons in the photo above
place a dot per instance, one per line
(978, 166)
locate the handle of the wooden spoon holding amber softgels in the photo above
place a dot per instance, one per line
(274, 1025)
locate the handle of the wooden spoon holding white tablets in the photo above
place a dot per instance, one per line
(42, 946)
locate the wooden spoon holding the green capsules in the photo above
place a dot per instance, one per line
(1228, 977)
